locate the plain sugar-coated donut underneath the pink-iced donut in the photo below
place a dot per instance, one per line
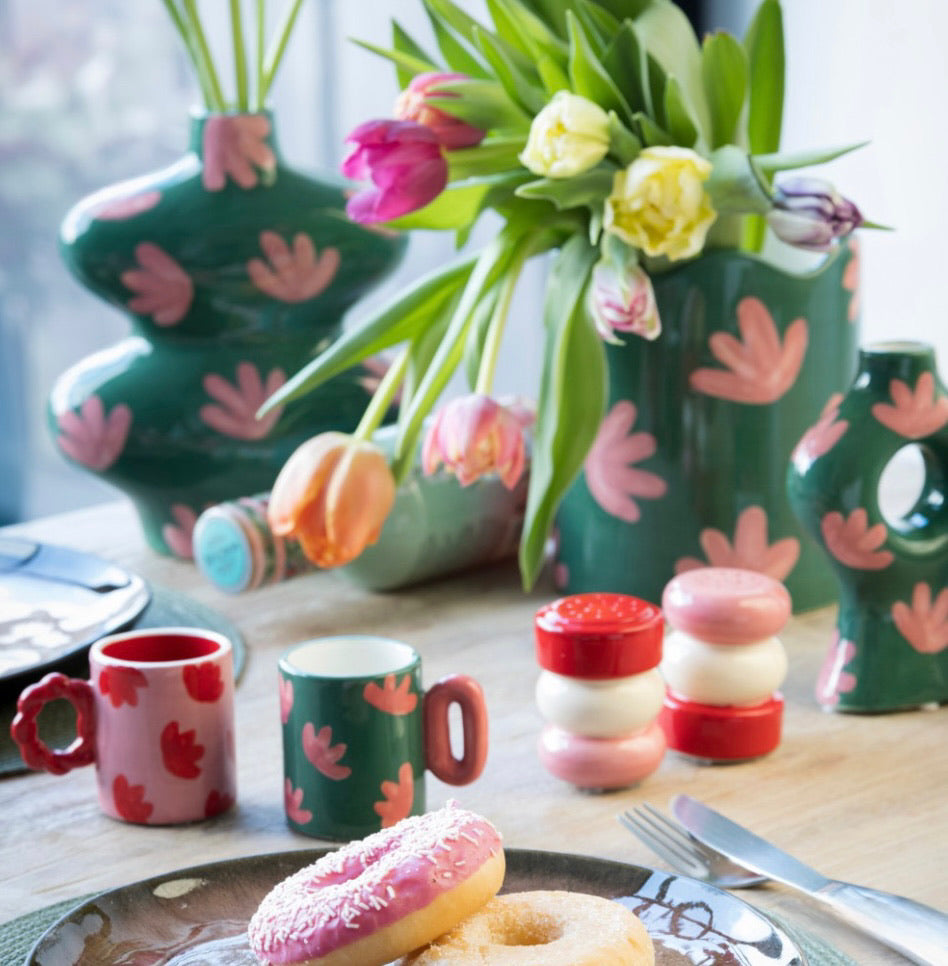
(543, 929)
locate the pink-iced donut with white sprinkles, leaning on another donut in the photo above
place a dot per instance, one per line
(383, 896)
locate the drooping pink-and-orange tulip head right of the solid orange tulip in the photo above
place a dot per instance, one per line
(474, 436)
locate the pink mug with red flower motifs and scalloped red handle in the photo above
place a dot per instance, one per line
(157, 718)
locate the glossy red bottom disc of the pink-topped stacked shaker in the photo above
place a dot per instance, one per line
(721, 733)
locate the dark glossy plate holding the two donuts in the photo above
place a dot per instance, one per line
(199, 915)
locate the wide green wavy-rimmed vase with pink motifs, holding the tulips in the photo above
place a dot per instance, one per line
(689, 465)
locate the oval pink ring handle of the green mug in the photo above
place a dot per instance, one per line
(467, 694)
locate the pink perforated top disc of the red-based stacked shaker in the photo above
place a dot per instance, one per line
(724, 605)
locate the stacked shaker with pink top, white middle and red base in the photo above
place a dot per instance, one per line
(723, 664)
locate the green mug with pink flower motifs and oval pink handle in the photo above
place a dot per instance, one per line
(359, 732)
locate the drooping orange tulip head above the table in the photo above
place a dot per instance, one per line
(333, 495)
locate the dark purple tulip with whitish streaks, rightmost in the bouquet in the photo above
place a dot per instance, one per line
(811, 213)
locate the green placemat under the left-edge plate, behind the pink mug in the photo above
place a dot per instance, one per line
(167, 608)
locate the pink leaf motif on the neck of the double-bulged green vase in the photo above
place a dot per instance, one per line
(235, 146)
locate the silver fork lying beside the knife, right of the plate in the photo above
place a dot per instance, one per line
(683, 852)
